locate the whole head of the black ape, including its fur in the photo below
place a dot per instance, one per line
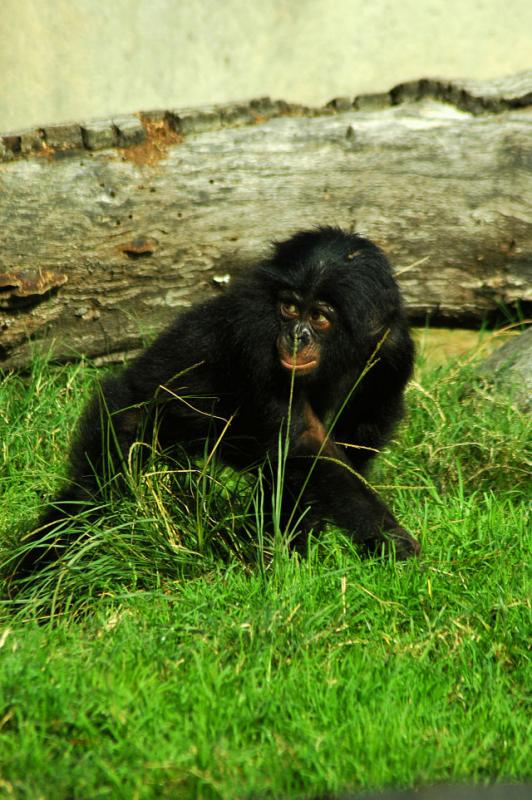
(332, 299)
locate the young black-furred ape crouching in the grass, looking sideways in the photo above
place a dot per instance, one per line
(306, 324)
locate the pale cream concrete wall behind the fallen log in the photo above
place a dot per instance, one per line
(63, 60)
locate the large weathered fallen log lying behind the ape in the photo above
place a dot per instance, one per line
(107, 228)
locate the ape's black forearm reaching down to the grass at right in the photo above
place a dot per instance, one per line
(319, 475)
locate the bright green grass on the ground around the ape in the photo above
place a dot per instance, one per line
(166, 660)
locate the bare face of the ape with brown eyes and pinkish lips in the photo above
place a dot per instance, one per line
(304, 325)
